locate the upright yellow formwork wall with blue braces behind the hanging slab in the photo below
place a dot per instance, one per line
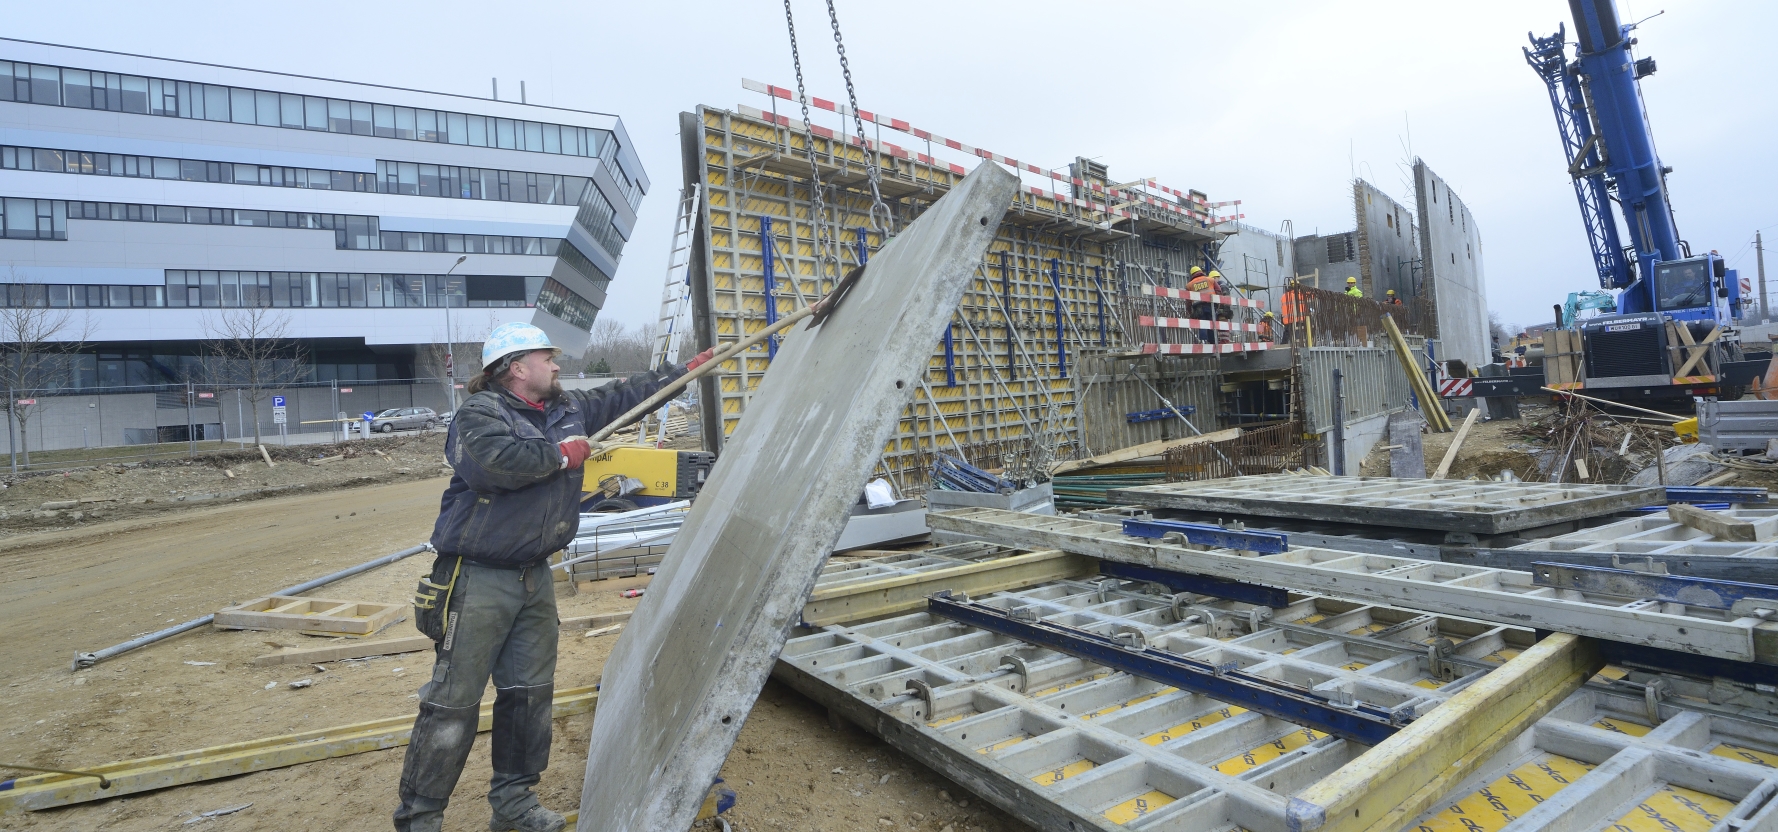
(1061, 284)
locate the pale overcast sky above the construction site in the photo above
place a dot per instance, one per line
(1274, 104)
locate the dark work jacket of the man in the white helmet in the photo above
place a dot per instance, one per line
(509, 502)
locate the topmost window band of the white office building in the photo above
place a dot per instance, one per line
(209, 102)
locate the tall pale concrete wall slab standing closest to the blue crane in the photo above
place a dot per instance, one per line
(1452, 248)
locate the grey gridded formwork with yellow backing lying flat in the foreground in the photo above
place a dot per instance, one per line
(1062, 742)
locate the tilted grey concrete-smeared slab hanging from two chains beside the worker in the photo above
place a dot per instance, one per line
(693, 660)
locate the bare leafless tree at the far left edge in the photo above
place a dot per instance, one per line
(40, 344)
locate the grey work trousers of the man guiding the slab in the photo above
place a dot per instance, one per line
(501, 623)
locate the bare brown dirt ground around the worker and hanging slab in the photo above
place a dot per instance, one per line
(104, 582)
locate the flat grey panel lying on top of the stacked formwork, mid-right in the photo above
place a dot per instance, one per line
(1475, 508)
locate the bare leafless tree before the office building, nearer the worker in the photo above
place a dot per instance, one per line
(250, 349)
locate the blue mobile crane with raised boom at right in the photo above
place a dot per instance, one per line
(1669, 300)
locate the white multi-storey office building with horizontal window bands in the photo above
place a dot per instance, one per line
(154, 196)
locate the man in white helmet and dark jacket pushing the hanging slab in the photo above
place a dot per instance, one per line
(490, 602)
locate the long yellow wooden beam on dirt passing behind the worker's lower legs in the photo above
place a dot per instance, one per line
(147, 774)
